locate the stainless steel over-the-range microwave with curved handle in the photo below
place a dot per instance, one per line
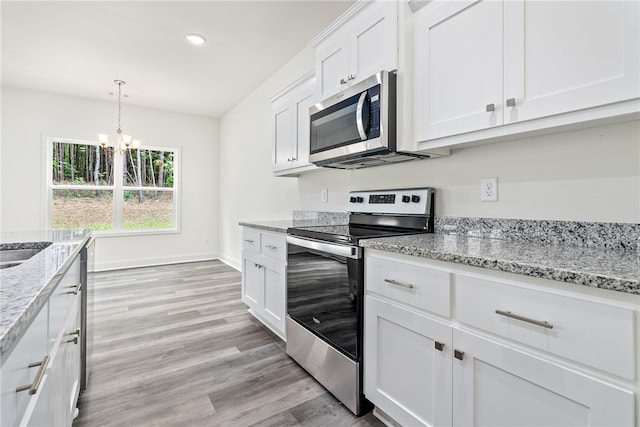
(357, 127)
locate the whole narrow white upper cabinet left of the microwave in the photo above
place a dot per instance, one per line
(291, 126)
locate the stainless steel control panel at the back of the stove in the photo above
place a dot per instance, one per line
(409, 201)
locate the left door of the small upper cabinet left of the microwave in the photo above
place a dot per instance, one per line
(284, 147)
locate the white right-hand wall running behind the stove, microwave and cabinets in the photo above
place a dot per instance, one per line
(591, 174)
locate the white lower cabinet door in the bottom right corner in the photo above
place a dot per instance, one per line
(494, 385)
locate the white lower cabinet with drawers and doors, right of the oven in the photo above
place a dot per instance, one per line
(482, 368)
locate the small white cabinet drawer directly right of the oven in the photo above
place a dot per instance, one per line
(410, 283)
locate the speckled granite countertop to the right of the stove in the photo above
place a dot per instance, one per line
(612, 269)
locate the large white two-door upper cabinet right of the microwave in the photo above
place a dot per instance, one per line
(489, 64)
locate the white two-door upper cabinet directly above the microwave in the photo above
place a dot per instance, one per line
(363, 42)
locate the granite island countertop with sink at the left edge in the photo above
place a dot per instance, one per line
(25, 288)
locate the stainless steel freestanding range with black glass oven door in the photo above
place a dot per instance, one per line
(325, 283)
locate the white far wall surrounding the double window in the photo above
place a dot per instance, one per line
(28, 116)
